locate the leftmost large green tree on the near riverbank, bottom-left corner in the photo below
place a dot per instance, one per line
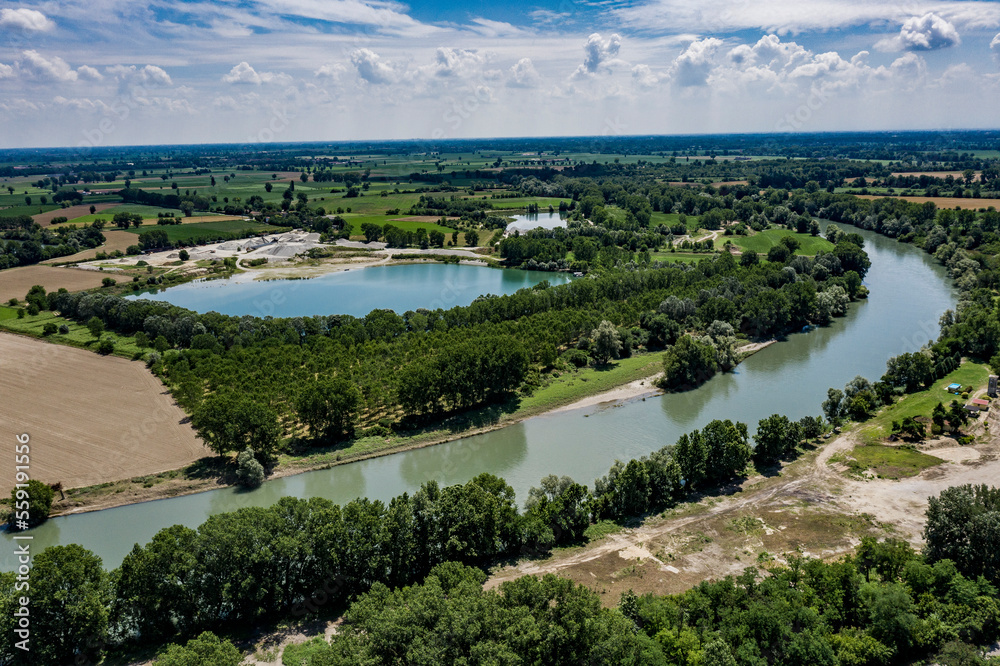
(69, 606)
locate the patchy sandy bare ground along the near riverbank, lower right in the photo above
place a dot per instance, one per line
(812, 509)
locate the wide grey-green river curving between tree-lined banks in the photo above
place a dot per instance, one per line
(909, 292)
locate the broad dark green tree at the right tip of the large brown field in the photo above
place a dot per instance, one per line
(229, 423)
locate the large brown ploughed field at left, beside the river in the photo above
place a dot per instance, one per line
(92, 419)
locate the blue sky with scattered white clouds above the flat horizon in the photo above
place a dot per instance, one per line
(119, 72)
